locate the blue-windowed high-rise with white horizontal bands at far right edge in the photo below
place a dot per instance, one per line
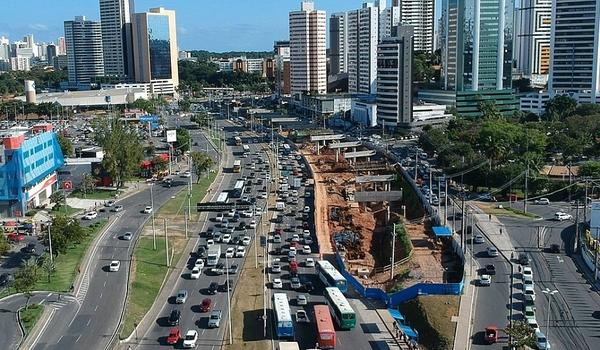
(575, 56)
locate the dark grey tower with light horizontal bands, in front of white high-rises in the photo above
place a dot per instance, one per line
(394, 82)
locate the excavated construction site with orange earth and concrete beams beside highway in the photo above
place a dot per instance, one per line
(359, 200)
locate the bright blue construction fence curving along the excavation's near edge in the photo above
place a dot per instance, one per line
(392, 300)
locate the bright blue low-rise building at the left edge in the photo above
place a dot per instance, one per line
(29, 159)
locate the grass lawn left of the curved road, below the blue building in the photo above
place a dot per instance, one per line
(66, 265)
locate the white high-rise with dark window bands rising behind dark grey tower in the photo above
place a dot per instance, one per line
(420, 15)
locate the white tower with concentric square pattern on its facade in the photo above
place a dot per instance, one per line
(533, 20)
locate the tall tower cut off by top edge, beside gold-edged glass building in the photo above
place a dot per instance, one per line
(117, 44)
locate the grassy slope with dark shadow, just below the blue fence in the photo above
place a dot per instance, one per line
(431, 316)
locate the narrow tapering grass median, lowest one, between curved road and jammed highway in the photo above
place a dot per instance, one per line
(149, 272)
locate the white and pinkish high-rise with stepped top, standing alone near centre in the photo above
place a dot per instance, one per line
(308, 56)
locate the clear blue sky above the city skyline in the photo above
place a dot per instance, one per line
(213, 25)
